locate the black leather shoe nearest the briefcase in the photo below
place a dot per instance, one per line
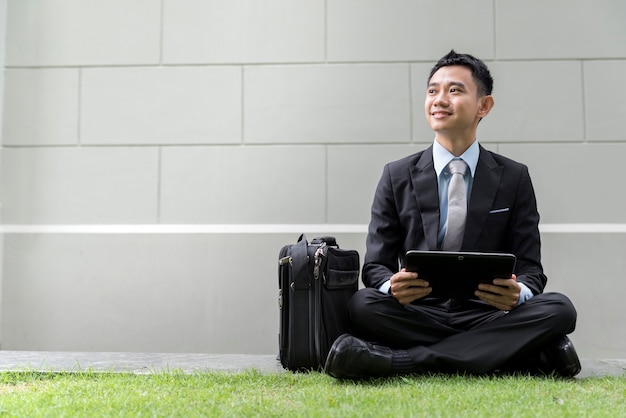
(353, 358)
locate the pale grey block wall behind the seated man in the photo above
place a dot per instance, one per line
(156, 154)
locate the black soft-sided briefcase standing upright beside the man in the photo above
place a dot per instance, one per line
(316, 280)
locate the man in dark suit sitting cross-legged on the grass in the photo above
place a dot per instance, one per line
(511, 325)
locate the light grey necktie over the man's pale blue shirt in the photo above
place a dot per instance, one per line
(457, 206)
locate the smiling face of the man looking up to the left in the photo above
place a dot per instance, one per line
(452, 104)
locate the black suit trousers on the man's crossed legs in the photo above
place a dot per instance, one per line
(468, 336)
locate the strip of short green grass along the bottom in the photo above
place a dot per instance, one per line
(90, 394)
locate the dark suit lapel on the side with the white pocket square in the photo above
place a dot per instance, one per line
(484, 190)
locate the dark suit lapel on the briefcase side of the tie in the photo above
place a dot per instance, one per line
(423, 178)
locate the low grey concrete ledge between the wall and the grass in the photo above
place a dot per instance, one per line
(144, 363)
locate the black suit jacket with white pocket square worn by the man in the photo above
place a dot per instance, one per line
(502, 216)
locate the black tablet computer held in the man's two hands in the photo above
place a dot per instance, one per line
(457, 274)
